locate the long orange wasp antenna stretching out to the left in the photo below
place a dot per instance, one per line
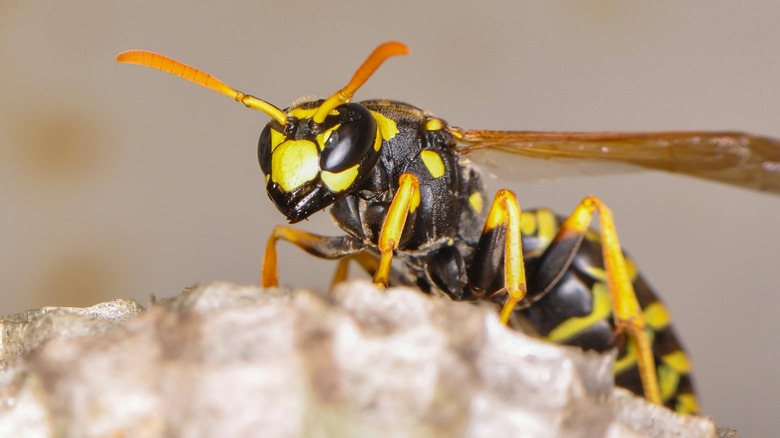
(192, 74)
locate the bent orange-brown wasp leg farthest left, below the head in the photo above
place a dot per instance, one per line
(319, 246)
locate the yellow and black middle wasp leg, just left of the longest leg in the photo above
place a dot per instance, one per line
(501, 227)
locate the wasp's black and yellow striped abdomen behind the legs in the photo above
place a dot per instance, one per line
(577, 311)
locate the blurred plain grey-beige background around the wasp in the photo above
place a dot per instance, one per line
(118, 181)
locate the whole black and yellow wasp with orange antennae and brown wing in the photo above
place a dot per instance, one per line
(401, 184)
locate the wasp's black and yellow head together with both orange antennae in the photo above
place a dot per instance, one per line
(311, 153)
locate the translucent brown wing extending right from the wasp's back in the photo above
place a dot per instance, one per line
(731, 157)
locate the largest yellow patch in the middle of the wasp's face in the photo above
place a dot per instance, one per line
(294, 163)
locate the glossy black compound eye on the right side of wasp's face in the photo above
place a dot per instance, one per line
(351, 140)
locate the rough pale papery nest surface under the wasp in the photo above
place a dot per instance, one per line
(225, 360)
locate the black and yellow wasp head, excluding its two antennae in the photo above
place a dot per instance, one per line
(308, 165)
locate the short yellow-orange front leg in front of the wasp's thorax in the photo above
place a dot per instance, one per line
(406, 200)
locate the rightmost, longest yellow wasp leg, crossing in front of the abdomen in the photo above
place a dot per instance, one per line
(626, 311)
